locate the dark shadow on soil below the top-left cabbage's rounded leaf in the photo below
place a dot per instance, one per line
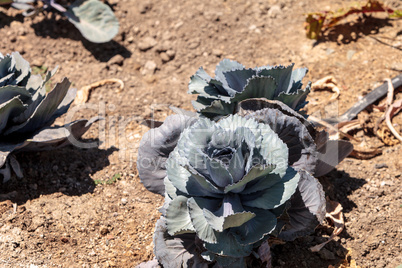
(62, 28)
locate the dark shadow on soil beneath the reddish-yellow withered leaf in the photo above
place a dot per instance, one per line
(349, 32)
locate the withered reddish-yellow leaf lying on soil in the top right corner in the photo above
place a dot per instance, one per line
(317, 22)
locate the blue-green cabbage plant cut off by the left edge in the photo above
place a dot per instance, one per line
(26, 111)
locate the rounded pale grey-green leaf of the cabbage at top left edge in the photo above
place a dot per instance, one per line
(94, 19)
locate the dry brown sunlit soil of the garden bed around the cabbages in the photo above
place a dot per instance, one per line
(87, 208)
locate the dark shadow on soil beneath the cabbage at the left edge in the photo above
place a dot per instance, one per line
(66, 170)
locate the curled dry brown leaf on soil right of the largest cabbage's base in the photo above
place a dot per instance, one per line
(335, 215)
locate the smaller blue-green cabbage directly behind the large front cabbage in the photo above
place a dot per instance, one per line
(233, 83)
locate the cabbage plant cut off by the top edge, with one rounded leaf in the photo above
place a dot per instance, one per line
(94, 19)
